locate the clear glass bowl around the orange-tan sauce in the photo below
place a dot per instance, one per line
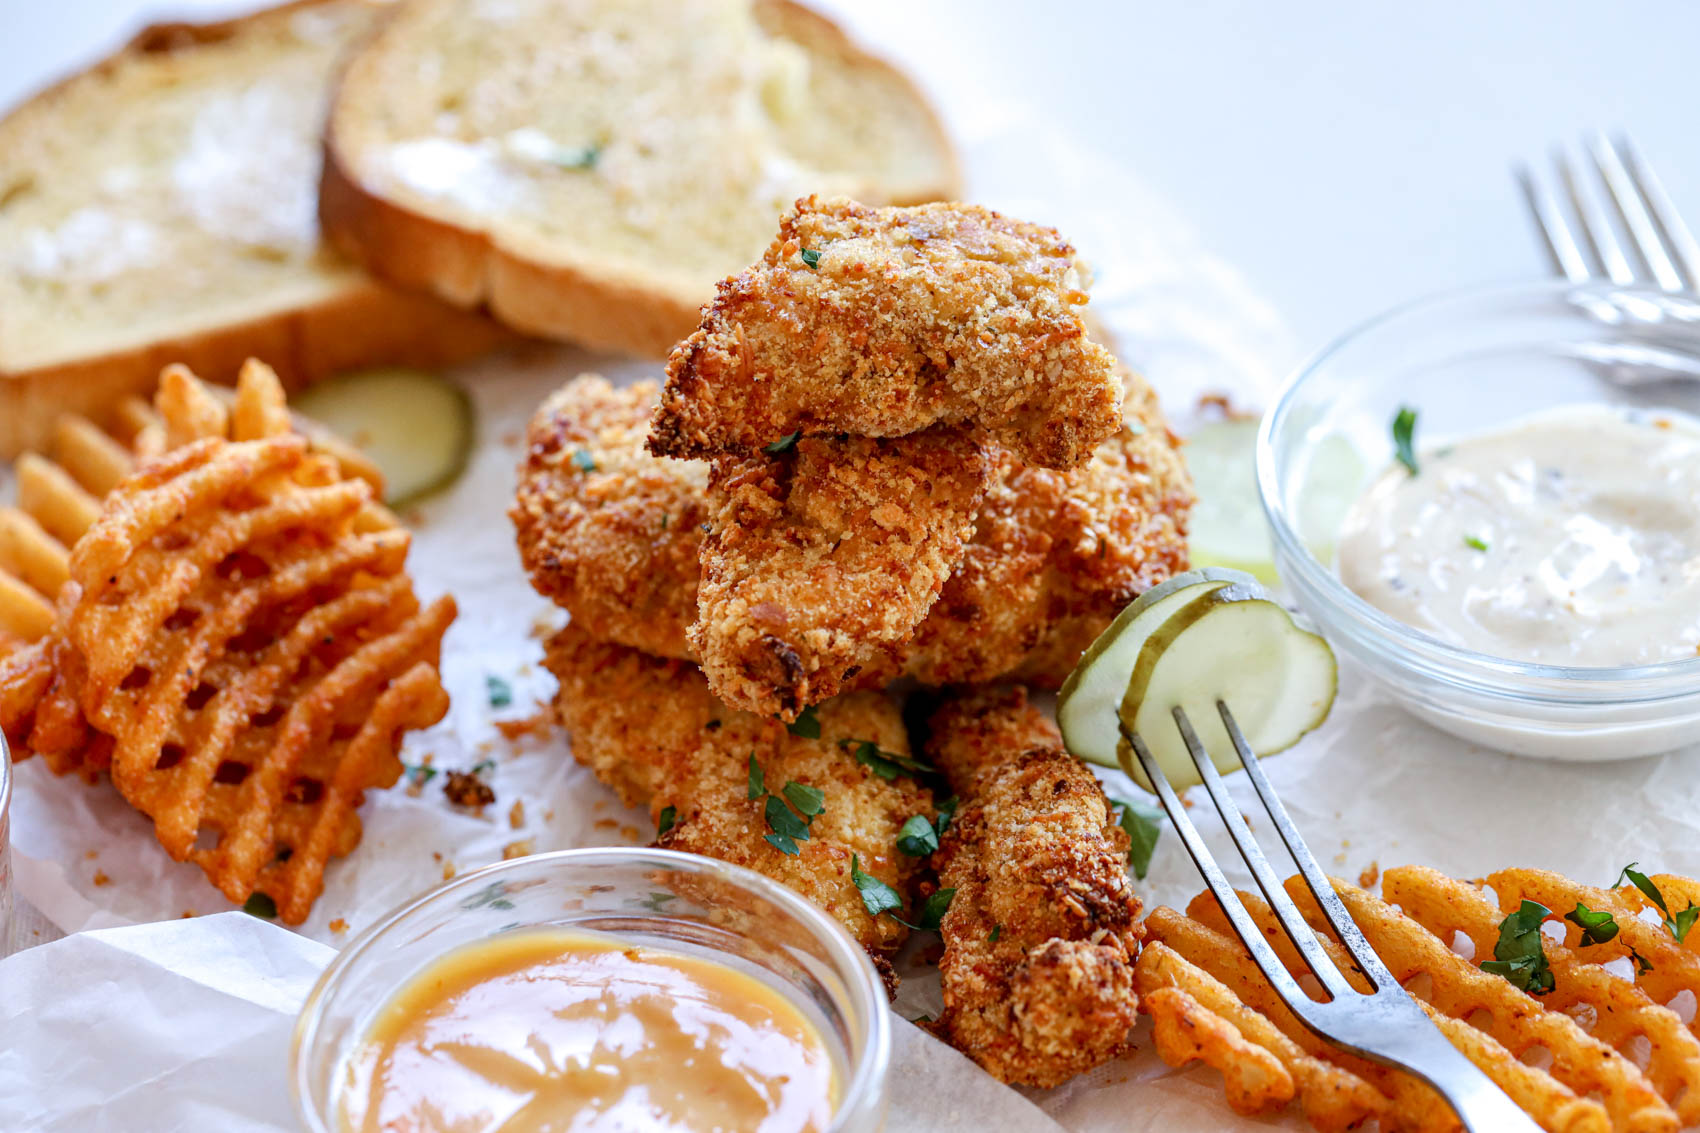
(664, 899)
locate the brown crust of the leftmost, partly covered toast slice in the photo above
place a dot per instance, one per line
(365, 324)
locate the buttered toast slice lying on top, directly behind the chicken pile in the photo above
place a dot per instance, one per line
(589, 169)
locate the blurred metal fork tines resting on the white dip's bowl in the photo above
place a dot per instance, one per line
(1662, 244)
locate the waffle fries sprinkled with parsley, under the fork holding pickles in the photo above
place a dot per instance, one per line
(1590, 1032)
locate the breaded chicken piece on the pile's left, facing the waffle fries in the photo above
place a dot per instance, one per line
(606, 530)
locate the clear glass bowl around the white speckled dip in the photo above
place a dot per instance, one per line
(1471, 363)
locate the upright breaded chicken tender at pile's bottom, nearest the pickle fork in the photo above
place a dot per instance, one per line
(1045, 926)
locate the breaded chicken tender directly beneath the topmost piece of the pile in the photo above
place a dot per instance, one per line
(820, 562)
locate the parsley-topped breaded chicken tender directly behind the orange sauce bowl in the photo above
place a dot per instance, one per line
(652, 731)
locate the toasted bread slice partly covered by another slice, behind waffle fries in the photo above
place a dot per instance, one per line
(162, 208)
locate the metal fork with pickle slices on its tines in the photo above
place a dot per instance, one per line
(1386, 1025)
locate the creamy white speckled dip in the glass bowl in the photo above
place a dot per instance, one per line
(1568, 538)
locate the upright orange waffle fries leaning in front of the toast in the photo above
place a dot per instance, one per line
(237, 642)
